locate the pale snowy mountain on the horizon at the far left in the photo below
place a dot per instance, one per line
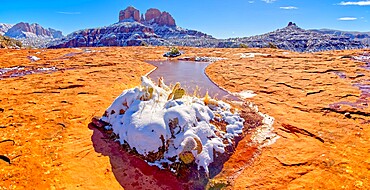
(33, 35)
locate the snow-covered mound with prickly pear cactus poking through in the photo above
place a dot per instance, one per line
(170, 129)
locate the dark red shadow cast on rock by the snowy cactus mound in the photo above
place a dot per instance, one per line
(134, 173)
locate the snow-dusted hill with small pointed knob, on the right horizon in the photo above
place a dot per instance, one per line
(297, 39)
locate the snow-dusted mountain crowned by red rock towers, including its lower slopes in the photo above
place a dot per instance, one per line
(155, 28)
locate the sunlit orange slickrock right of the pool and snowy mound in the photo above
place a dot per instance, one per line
(320, 147)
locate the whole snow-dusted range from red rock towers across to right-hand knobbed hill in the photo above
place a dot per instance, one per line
(159, 28)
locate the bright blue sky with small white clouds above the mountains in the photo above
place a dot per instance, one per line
(220, 18)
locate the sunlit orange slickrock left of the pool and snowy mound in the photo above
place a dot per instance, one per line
(47, 116)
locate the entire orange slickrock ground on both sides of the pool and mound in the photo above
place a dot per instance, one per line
(44, 119)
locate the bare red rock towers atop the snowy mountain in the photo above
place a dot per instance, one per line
(152, 16)
